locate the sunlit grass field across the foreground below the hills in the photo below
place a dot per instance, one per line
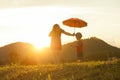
(93, 70)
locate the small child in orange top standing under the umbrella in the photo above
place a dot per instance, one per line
(79, 46)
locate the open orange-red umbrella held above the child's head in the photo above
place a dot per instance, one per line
(75, 22)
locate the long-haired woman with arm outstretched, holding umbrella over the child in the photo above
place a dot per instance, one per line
(55, 45)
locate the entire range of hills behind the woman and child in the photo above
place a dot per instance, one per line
(25, 53)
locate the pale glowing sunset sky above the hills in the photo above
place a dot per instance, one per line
(32, 20)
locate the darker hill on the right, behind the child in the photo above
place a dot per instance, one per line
(94, 49)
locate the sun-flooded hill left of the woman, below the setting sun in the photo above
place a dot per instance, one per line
(23, 53)
